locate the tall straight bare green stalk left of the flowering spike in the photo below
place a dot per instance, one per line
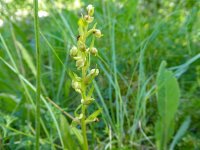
(38, 77)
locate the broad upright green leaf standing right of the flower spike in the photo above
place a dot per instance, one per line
(168, 94)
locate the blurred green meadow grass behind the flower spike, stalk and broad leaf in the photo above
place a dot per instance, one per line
(138, 35)
